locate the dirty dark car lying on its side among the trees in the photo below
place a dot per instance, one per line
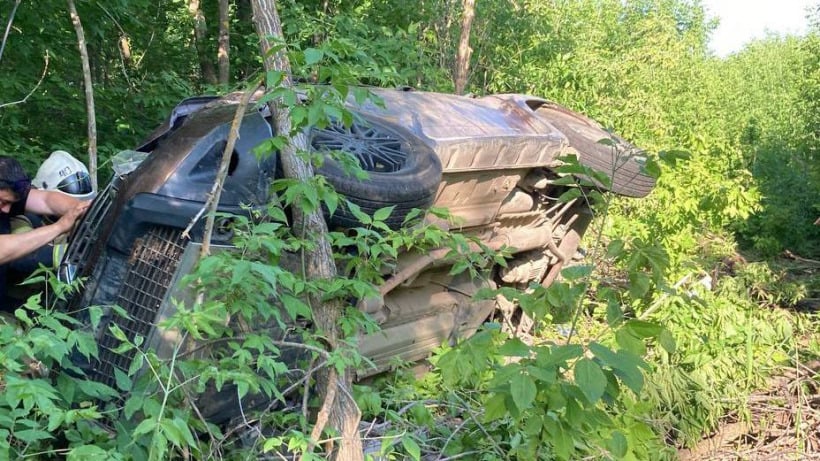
(490, 161)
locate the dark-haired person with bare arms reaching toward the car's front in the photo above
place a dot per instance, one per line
(22, 252)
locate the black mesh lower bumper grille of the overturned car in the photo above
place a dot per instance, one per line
(154, 259)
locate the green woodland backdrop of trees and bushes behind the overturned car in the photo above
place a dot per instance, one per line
(738, 139)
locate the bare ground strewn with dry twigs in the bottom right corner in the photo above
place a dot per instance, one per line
(783, 423)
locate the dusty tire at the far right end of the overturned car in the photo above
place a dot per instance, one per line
(621, 162)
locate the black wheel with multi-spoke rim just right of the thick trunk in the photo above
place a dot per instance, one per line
(402, 170)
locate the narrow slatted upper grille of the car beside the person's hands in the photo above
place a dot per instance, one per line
(78, 257)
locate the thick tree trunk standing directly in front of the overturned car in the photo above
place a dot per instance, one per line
(343, 414)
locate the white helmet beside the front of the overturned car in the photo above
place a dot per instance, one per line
(64, 173)
